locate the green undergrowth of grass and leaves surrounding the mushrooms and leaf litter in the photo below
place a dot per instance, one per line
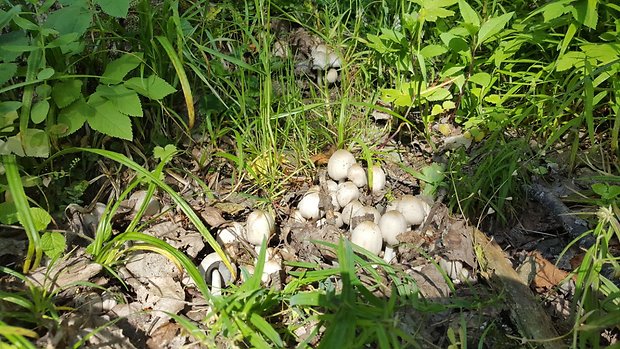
(95, 91)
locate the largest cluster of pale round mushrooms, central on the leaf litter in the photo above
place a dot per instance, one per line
(370, 226)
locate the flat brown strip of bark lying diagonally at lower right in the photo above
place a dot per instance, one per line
(532, 321)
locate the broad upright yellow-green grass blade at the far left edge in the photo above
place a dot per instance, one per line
(21, 203)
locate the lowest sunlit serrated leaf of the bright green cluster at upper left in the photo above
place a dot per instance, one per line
(108, 119)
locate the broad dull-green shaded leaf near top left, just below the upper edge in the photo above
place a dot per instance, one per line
(70, 19)
